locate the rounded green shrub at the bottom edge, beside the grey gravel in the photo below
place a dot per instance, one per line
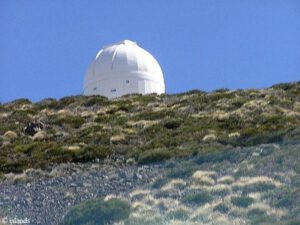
(97, 212)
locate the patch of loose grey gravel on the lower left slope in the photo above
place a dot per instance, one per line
(43, 197)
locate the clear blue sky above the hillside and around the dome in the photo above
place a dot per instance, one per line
(46, 46)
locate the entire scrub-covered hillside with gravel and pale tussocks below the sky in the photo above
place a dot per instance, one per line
(223, 157)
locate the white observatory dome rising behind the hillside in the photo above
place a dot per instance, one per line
(123, 68)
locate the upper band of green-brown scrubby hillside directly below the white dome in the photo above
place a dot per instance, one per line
(144, 129)
